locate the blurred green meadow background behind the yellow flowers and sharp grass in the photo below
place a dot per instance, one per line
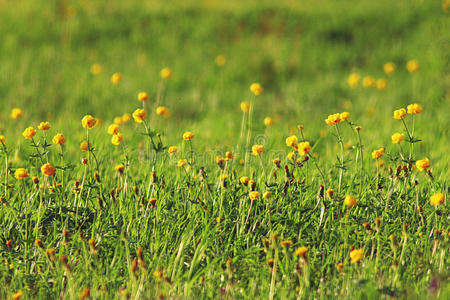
(301, 52)
